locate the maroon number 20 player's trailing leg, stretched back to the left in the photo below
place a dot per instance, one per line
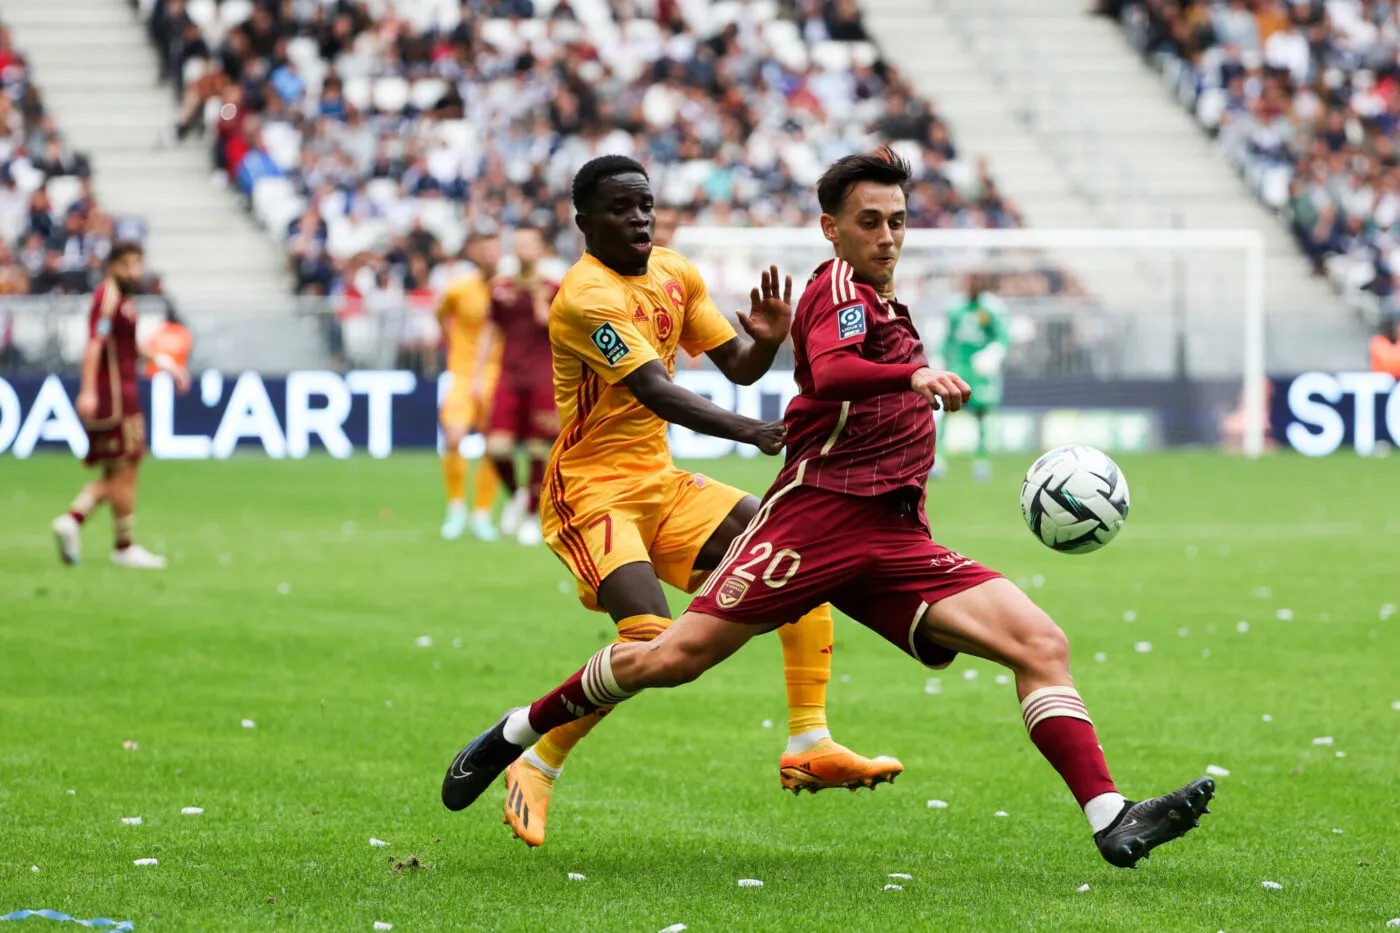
(684, 652)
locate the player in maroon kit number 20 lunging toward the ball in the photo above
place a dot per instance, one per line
(845, 523)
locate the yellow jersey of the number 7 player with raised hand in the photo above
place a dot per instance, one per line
(604, 326)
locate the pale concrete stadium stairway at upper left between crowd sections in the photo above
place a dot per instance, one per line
(97, 72)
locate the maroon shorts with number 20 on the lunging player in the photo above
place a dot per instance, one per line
(871, 558)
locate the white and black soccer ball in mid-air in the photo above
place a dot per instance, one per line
(1074, 499)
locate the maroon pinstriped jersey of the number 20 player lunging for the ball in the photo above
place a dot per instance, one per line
(869, 446)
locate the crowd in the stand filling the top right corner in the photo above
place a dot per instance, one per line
(1304, 97)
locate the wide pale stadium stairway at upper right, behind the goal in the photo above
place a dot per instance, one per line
(1081, 134)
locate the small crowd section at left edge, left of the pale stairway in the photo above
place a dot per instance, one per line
(54, 233)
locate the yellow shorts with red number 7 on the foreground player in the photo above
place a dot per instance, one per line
(663, 520)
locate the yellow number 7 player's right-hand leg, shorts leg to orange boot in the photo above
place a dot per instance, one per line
(813, 760)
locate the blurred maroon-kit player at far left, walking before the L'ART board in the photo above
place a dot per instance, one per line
(111, 414)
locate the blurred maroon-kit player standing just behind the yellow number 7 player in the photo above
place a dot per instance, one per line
(523, 410)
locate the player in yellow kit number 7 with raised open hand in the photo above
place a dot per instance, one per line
(615, 509)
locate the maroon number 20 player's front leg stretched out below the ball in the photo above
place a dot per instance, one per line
(996, 621)
